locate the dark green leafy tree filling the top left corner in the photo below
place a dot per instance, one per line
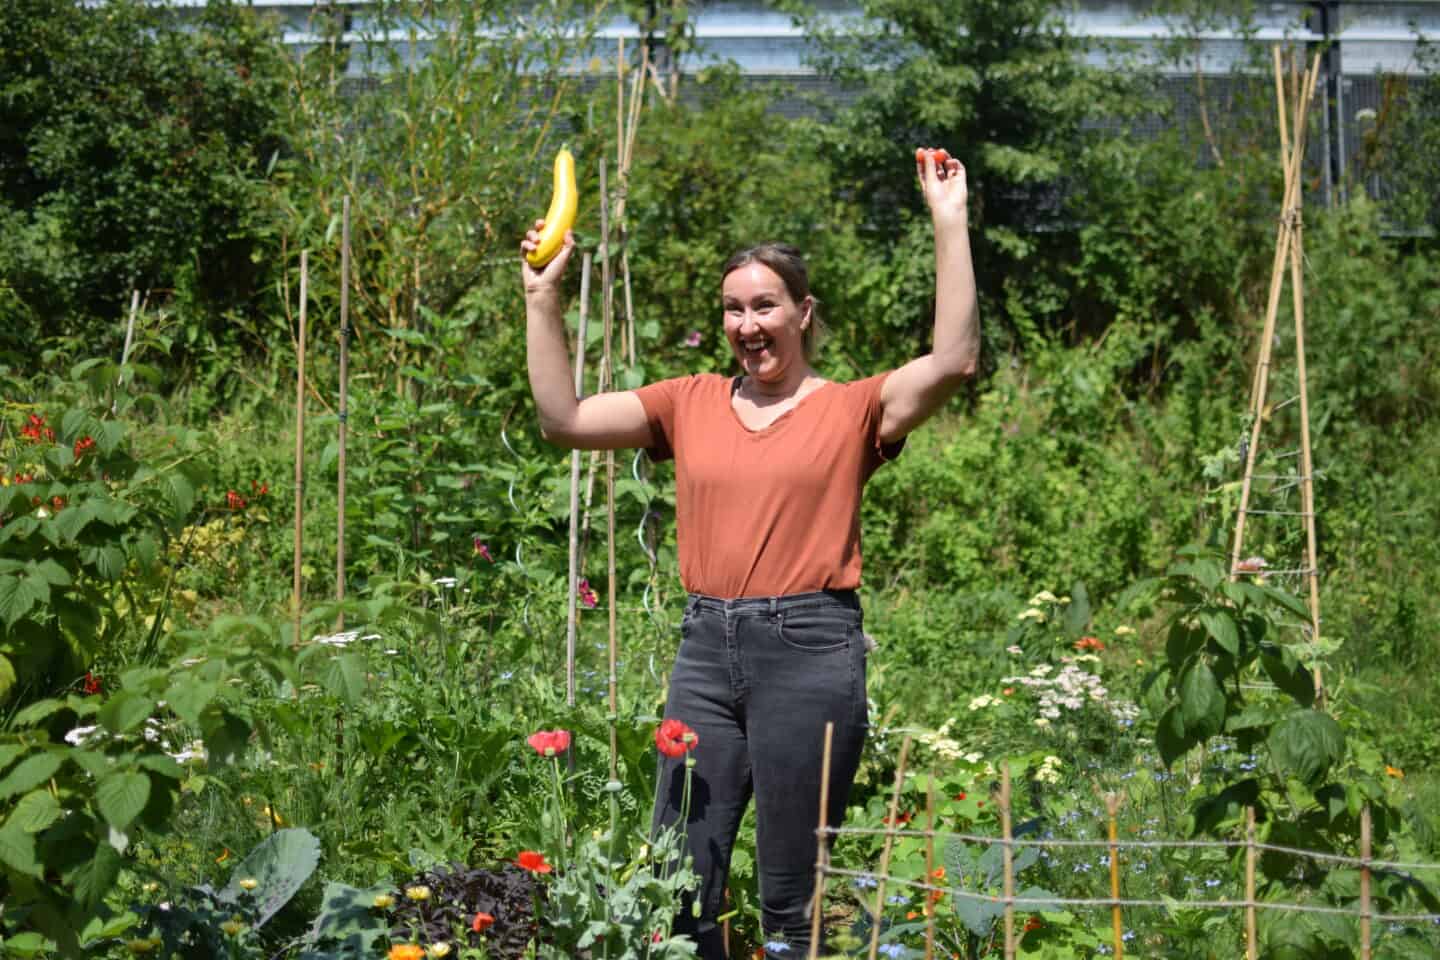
(133, 159)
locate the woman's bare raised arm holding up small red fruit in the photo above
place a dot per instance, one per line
(917, 391)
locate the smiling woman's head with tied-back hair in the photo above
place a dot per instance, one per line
(765, 327)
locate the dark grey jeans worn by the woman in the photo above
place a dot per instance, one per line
(758, 680)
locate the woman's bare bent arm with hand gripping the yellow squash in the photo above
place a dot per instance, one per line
(606, 421)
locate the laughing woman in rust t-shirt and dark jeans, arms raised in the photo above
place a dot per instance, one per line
(770, 470)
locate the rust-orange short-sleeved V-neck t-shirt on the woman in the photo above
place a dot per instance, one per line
(774, 512)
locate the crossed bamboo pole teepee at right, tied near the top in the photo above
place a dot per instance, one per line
(1290, 257)
